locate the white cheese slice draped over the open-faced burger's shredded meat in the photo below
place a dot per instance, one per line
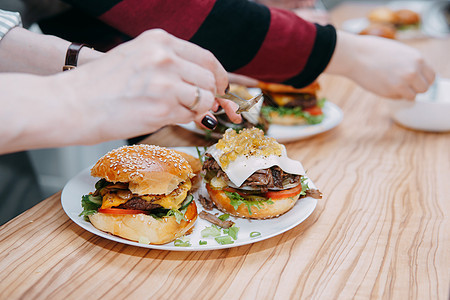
(243, 167)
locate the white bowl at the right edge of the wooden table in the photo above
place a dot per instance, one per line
(429, 112)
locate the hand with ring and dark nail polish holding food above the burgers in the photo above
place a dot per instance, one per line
(147, 83)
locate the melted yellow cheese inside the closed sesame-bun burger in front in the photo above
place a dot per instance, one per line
(170, 201)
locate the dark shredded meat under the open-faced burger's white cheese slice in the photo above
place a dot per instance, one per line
(264, 179)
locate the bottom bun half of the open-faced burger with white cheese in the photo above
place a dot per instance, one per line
(267, 211)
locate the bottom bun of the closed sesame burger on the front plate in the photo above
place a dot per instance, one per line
(145, 228)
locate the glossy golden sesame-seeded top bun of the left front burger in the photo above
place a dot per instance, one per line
(149, 169)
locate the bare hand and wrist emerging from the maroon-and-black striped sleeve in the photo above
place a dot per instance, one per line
(385, 67)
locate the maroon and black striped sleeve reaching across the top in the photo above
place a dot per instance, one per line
(248, 38)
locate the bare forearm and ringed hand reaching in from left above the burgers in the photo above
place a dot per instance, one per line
(125, 93)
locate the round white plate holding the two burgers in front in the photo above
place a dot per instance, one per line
(83, 183)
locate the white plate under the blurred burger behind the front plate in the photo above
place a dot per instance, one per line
(333, 116)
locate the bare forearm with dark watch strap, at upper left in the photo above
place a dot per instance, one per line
(23, 51)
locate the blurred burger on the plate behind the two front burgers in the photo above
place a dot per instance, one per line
(286, 105)
